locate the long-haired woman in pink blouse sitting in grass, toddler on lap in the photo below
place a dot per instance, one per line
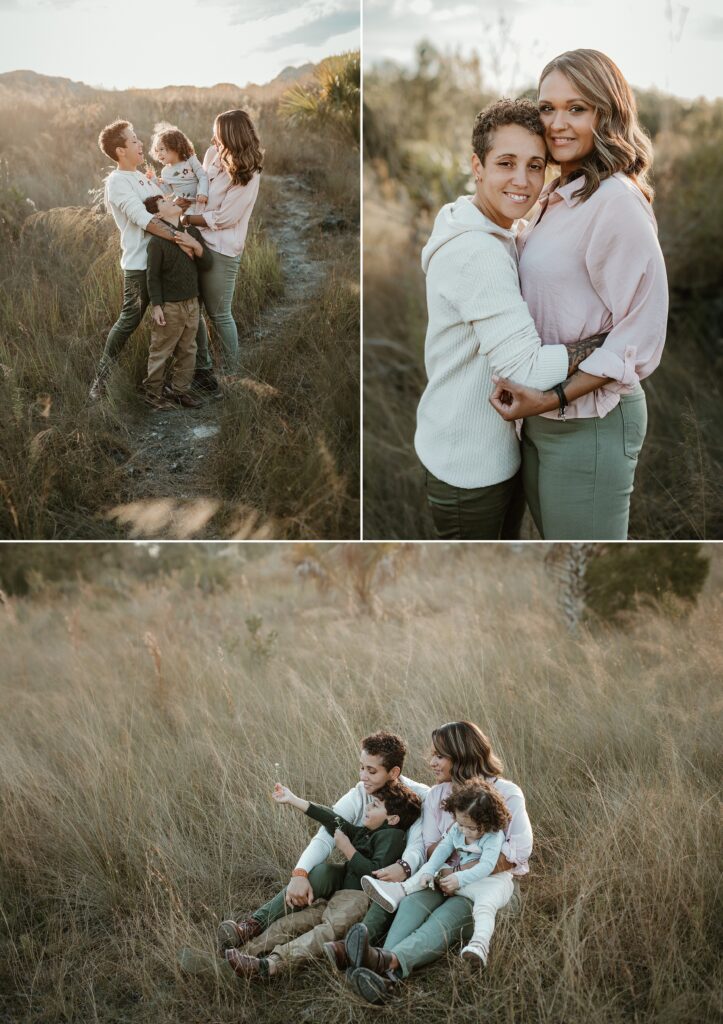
(430, 922)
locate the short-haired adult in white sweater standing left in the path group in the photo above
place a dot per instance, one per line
(126, 189)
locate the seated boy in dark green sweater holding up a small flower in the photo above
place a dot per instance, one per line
(367, 848)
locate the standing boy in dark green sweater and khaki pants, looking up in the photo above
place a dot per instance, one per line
(174, 292)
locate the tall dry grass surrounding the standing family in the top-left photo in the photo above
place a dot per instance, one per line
(63, 460)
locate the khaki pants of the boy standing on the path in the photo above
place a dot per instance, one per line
(178, 340)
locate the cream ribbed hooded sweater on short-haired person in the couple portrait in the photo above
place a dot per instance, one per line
(480, 325)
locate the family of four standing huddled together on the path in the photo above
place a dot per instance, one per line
(183, 236)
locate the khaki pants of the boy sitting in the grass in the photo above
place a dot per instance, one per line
(302, 936)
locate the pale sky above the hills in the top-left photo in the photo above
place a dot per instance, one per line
(140, 45)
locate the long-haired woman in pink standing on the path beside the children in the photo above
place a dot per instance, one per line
(234, 164)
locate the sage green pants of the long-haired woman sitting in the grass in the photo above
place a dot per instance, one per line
(427, 925)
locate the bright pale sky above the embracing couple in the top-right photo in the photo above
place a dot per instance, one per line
(677, 48)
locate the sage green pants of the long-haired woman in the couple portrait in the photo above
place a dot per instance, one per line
(578, 475)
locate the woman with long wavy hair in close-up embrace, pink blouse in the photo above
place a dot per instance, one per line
(590, 264)
